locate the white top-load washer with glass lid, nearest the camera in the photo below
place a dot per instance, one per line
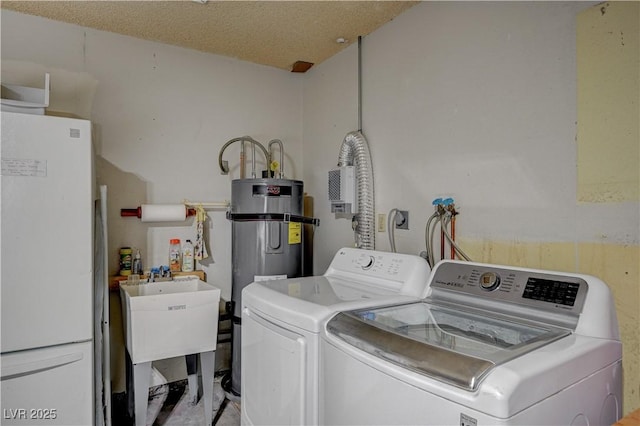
(490, 345)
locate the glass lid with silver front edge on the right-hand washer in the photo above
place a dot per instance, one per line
(451, 345)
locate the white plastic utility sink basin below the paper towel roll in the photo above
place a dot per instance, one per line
(169, 318)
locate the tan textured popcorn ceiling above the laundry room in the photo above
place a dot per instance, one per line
(273, 33)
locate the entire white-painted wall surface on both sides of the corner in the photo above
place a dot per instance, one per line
(472, 100)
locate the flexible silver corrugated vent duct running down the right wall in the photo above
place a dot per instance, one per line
(354, 151)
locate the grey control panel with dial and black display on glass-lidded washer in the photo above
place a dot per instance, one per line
(538, 289)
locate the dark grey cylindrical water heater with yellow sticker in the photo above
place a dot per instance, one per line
(267, 242)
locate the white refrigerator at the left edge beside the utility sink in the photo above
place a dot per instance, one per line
(46, 289)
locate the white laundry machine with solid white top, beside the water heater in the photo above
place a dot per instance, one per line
(282, 321)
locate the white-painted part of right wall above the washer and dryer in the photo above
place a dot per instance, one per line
(475, 100)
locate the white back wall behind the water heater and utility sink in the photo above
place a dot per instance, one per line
(160, 115)
